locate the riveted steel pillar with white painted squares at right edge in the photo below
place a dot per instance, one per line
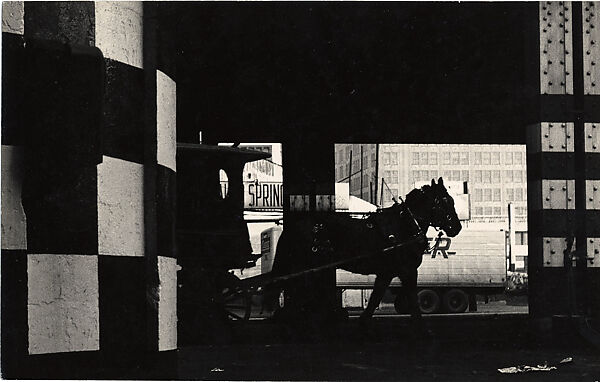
(563, 164)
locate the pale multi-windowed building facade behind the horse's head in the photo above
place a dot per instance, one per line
(496, 174)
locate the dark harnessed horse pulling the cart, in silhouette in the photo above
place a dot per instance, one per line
(388, 243)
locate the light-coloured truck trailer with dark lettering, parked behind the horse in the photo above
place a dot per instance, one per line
(453, 272)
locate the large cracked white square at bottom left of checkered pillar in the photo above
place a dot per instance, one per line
(62, 303)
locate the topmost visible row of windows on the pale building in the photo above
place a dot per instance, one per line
(466, 158)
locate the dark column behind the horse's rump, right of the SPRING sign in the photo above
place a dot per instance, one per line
(309, 194)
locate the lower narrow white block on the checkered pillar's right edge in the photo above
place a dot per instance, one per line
(167, 303)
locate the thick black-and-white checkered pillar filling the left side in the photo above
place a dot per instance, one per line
(88, 262)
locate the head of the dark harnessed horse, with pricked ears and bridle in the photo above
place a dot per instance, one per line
(443, 213)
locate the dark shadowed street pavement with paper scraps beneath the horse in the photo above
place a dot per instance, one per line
(467, 347)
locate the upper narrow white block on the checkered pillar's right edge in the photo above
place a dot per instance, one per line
(166, 113)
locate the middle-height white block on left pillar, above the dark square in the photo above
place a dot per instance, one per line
(120, 208)
